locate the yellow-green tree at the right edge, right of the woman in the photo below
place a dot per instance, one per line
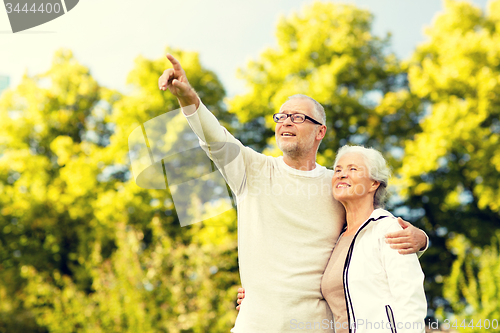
(450, 173)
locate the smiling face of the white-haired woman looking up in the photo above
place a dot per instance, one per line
(351, 180)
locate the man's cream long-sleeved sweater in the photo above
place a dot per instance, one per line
(288, 223)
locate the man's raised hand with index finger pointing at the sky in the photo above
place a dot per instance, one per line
(175, 80)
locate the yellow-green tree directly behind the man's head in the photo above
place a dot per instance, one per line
(327, 51)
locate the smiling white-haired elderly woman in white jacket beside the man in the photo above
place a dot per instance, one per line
(368, 286)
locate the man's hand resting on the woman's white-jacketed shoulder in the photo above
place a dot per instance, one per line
(406, 241)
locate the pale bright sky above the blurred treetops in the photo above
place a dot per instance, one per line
(107, 35)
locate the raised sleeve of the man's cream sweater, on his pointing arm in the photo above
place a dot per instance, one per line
(233, 160)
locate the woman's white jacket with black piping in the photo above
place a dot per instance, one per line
(383, 289)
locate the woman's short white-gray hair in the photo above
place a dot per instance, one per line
(378, 169)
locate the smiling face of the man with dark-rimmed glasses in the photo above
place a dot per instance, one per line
(296, 140)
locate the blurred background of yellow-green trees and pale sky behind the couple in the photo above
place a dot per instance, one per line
(84, 249)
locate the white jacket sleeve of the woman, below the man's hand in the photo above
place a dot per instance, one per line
(405, 279)
